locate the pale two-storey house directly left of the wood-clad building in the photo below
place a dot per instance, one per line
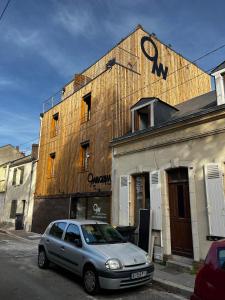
(20, 187)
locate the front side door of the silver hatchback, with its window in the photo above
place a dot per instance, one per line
(73, 251)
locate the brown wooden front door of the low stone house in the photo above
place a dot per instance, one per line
(180, 216)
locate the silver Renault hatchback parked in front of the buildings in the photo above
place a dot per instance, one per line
(96, 252)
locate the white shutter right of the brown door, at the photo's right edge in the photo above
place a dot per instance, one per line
(215, 199)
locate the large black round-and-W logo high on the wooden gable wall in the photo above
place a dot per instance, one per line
(157, 68)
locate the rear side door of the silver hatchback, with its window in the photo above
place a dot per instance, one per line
(54, 242)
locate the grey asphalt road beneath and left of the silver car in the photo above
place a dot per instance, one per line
(21, 279)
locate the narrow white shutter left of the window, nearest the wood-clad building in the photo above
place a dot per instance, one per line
(124, 200)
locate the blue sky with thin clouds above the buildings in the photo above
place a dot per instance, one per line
(44, 43)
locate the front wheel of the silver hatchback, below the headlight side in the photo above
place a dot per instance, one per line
(90, 281)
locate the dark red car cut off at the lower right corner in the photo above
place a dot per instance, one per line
(210, 280)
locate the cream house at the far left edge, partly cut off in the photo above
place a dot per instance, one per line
(8, 153)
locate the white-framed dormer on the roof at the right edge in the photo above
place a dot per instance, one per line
(219, 75)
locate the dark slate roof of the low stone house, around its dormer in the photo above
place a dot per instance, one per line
(194, 107)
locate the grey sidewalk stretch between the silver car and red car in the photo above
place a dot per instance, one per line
(174, 281)
